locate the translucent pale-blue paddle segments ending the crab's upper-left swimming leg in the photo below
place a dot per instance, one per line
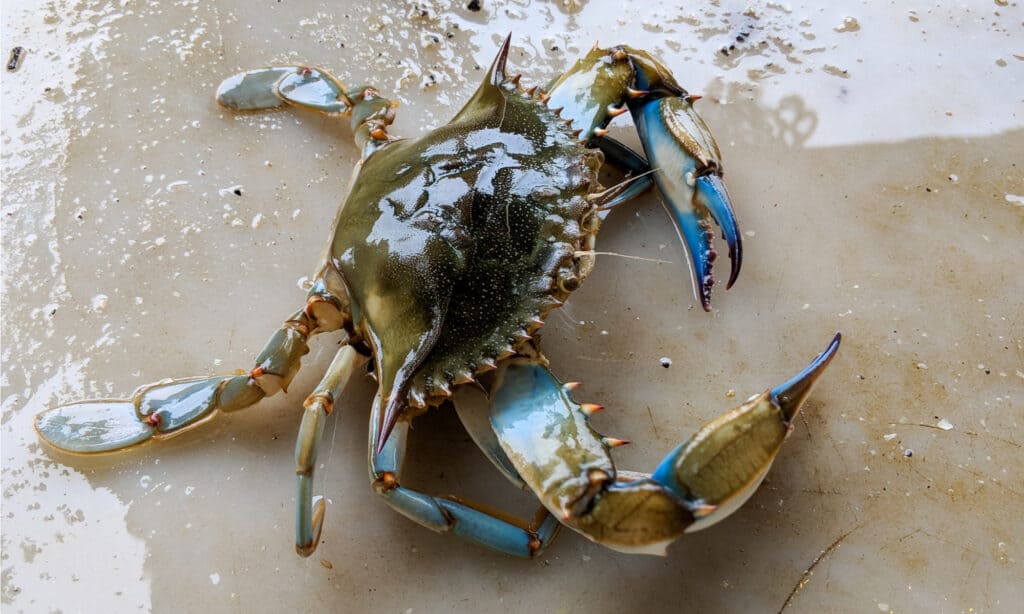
(275, 87)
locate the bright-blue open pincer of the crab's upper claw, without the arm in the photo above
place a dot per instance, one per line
(688, 162)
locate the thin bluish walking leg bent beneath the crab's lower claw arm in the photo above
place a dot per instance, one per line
(447, 514)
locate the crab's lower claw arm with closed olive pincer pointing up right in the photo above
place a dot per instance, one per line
(548, 437)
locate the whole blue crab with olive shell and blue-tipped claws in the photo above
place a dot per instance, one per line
(447, 255)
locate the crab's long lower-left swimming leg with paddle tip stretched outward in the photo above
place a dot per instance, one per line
(167, 409)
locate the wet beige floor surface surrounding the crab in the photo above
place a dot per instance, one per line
(874, 156)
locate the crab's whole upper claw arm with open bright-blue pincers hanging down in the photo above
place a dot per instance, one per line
(606, 84)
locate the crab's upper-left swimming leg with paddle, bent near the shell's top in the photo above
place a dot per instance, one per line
(314, 90)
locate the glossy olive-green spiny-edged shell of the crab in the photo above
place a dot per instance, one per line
(454, 246)
